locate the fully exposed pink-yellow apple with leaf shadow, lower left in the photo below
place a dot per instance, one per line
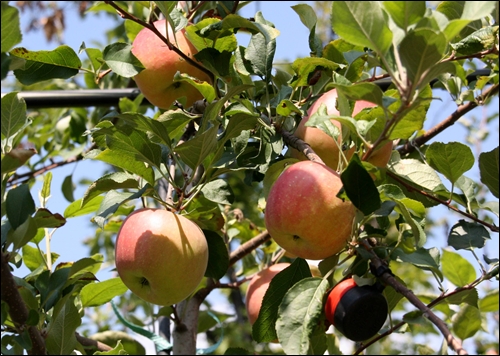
(160, 256)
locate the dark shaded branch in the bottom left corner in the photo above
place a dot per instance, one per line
(17, 309)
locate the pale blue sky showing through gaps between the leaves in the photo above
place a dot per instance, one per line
(292, 43)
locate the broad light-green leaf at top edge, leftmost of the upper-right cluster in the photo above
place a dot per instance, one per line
(363, 24)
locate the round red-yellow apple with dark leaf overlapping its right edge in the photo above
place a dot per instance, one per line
(303, 214)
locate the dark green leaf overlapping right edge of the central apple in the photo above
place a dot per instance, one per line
(359, 187)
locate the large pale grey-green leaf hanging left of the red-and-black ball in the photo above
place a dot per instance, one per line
(299, 313)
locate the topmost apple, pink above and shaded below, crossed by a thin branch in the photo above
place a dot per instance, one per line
(156, 81)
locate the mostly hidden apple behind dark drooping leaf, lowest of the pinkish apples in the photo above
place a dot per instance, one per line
(257, 289)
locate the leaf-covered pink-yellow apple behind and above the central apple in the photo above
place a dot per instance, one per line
(324, 145)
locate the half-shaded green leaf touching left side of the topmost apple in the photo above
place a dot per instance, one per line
(121, 60)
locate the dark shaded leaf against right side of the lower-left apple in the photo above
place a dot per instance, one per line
(218, 256)
